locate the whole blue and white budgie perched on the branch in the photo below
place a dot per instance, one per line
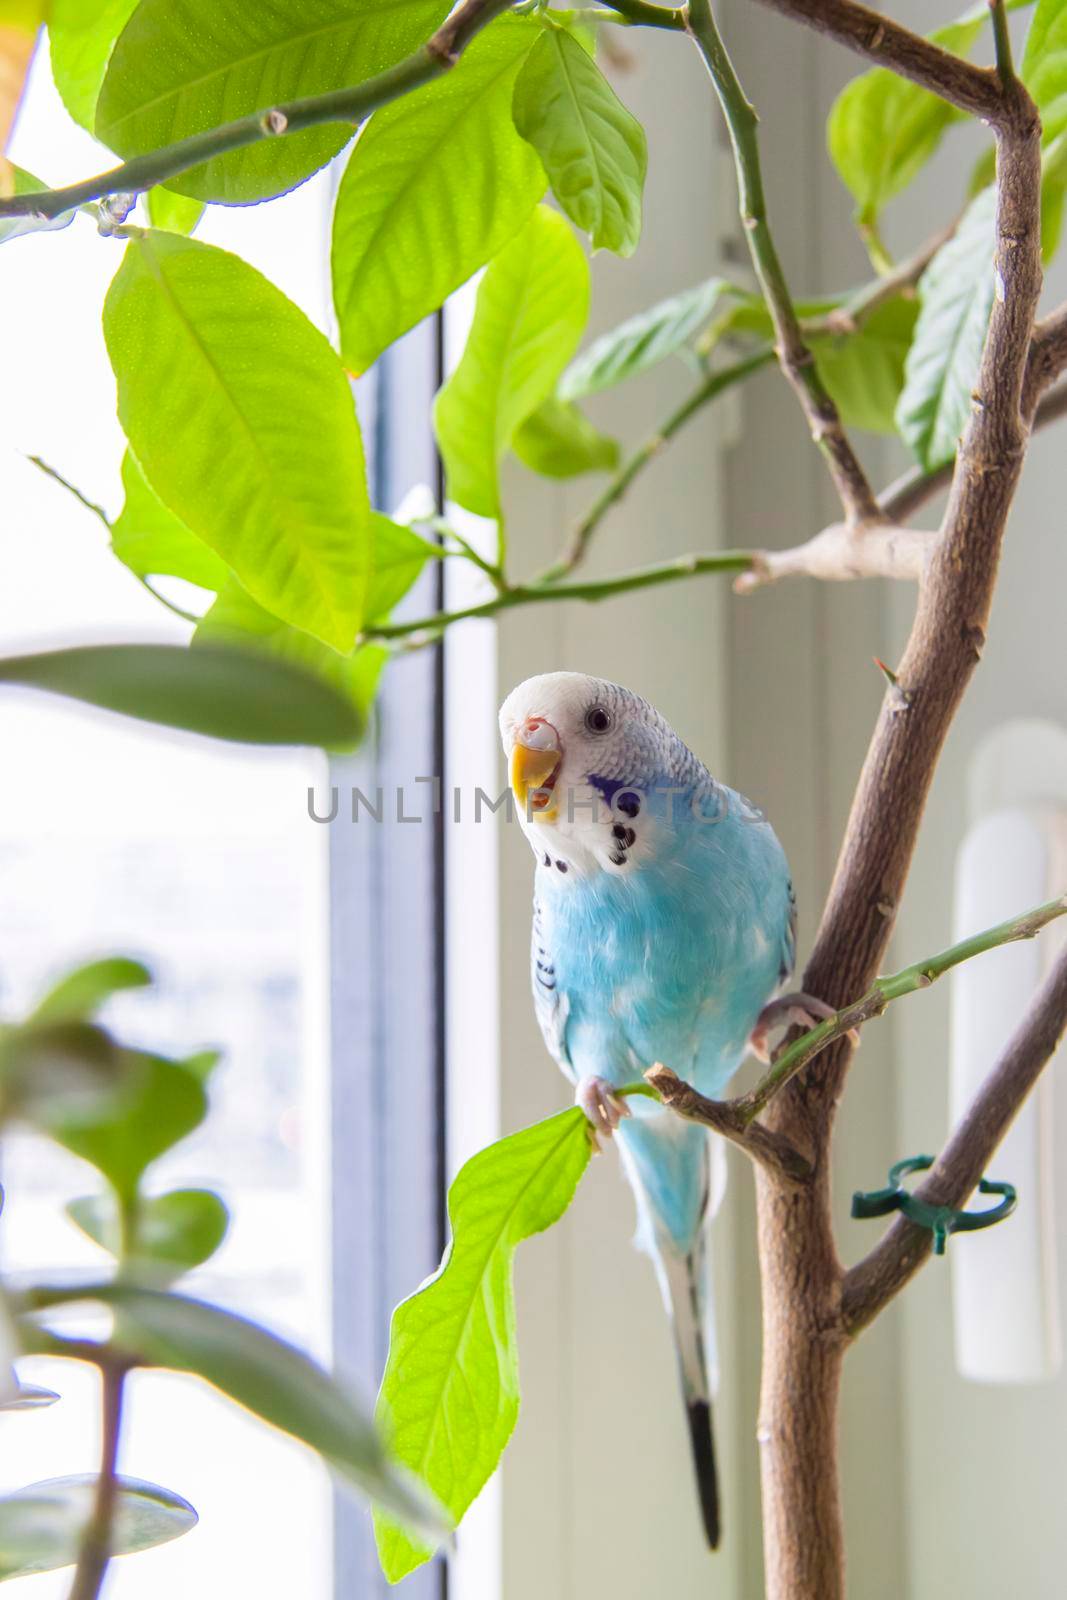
(663, 929)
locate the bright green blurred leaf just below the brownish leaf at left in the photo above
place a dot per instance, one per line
(161, 1103)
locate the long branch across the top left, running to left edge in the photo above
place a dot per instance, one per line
(351, 105)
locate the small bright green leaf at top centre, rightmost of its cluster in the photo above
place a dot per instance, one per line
(593, 150)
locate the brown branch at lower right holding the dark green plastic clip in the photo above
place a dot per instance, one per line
(903, 1250)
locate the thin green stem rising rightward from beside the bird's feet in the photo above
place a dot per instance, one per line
(882, 993)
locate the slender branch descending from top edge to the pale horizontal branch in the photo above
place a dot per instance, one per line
(793, 353)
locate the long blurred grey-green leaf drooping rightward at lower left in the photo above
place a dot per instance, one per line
(266, 1375)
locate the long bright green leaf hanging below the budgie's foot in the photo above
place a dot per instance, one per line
(450, 1394)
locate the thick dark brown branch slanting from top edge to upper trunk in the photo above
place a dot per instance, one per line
(887, 44)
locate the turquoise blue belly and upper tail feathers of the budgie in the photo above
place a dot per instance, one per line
(668, 961)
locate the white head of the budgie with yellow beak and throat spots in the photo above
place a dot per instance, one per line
(585, 761)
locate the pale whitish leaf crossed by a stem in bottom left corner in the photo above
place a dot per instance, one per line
(42, 1526)
